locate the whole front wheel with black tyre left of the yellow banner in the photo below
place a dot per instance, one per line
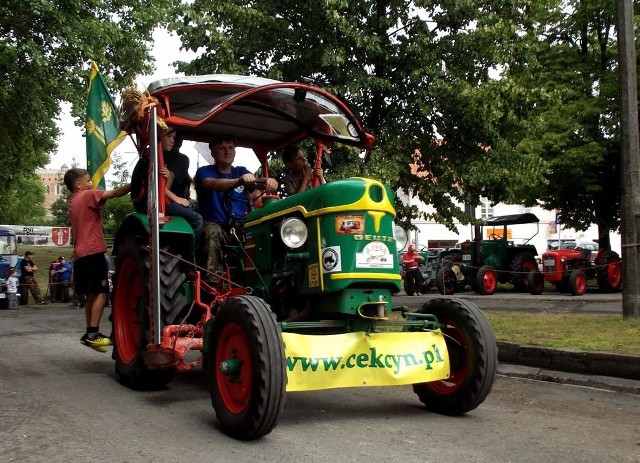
(245, 366)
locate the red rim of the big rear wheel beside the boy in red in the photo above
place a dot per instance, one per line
(128, 296)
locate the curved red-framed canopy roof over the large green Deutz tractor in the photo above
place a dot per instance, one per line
(262, 114)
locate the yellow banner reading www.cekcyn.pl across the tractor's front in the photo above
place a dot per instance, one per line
(361, 359)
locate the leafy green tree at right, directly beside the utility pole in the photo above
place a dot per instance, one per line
(563, 85)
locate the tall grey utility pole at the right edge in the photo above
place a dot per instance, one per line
(629, 159)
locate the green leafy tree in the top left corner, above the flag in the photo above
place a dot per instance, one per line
(45, 47)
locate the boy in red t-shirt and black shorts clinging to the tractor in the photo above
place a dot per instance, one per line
(90, 266)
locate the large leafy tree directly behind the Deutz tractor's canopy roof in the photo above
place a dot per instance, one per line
(420, 85)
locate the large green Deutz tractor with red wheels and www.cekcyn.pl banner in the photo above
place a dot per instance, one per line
(305, 301)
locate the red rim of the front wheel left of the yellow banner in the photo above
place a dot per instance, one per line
(235, 389)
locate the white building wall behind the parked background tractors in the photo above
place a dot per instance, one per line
(546, 230)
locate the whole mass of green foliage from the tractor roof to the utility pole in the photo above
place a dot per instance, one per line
(511, 100)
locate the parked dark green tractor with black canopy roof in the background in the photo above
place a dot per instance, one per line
(483, 263)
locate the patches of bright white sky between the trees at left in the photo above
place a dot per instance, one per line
(71, 143)
